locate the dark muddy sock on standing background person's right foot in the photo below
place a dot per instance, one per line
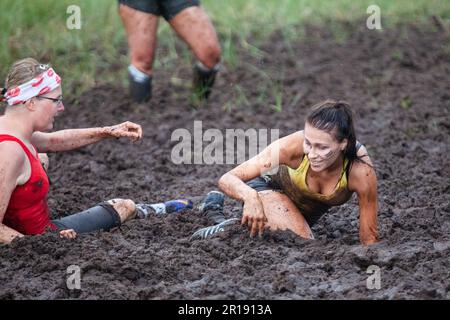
(203, 80)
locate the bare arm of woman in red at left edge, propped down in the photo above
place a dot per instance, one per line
(10, 171)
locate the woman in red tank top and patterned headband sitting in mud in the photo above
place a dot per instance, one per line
(34, 98)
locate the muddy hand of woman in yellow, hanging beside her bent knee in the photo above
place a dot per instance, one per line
(253, 215)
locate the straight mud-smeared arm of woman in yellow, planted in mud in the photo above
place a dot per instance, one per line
(364, 182)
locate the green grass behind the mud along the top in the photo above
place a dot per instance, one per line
(37, 28)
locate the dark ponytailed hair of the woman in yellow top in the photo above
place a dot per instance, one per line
(336, 118)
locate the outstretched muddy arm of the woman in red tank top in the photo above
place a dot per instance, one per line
(71, 139)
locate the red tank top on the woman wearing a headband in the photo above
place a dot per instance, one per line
(27, 210)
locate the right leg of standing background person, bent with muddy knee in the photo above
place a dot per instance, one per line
(195, 28)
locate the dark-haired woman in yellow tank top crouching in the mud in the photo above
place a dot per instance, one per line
(316, 168)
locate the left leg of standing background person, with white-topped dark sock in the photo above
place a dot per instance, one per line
(141, 29)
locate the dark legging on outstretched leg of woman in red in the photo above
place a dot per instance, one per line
(101, 217)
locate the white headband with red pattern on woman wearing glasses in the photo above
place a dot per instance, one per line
(43, 83)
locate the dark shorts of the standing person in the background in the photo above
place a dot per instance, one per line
(166, 8)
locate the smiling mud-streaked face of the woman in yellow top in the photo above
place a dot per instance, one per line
(322, 148)
